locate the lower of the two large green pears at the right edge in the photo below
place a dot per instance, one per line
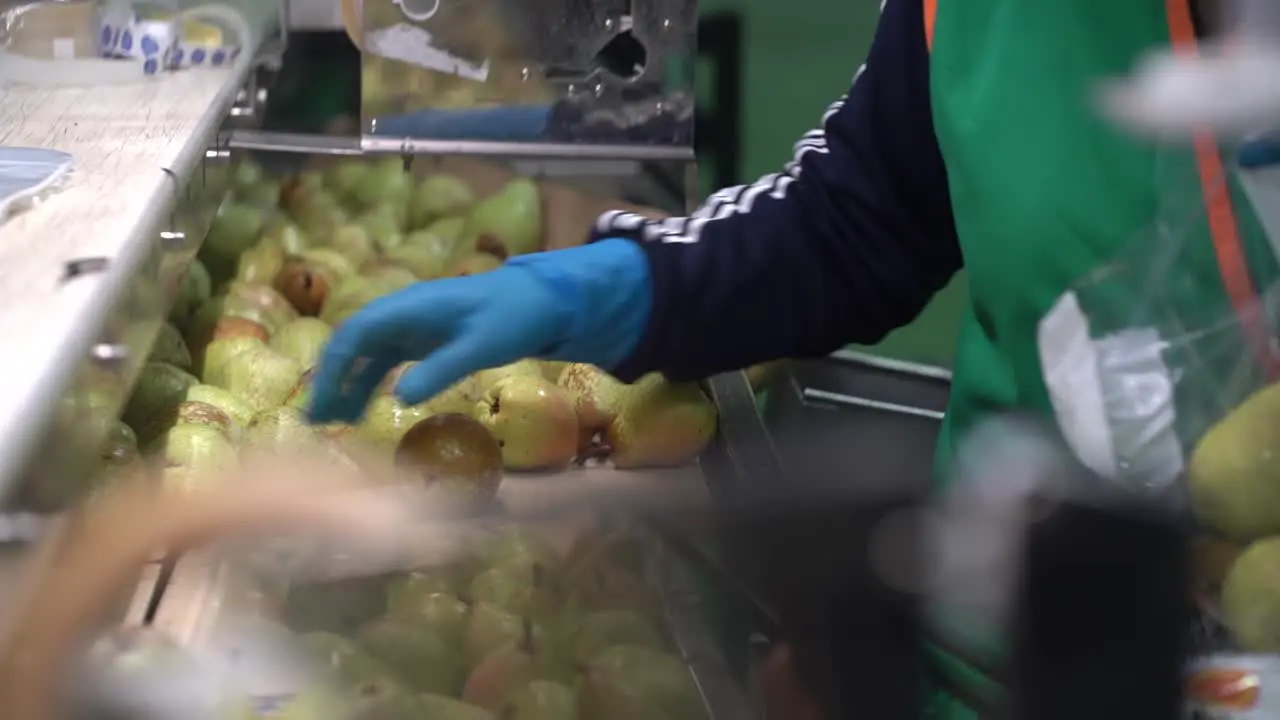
(1249, 601)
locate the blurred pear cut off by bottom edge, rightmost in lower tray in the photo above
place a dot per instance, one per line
(634, 683)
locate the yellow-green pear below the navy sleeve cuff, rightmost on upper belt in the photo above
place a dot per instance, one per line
(661, 425)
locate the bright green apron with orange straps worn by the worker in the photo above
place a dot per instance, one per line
(1045, 193)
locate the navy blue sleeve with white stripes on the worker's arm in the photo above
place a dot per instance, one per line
(847, 244)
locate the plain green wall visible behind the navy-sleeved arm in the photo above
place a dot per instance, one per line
(799, 60)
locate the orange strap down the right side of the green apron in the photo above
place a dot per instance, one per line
(1218, 203)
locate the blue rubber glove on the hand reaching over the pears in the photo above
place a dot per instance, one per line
(586, 304)
